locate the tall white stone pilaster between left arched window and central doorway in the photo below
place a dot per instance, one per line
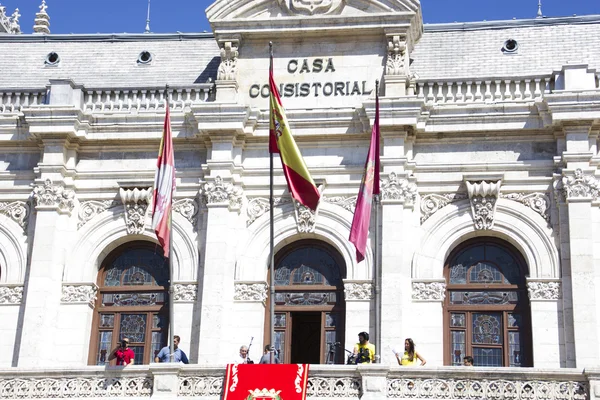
(216, 333)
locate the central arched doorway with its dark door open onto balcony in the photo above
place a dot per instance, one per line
(309, 304)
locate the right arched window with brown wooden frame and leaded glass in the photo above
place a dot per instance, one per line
(487, 313)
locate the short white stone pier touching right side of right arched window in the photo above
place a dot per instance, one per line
(544, 295)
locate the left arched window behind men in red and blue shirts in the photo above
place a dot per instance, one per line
(132, 302)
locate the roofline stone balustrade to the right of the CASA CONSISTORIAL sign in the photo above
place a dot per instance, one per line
(492, 90)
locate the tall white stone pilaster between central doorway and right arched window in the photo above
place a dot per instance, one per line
(398, 197)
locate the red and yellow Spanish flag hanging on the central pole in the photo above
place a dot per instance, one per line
(300, 183)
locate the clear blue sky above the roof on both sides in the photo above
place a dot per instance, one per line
(116, 16)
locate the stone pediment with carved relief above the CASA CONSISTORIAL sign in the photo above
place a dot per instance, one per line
(228, 10)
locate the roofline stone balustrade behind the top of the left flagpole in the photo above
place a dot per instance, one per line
(113, 100)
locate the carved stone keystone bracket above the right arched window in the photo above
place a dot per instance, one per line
(483, 196)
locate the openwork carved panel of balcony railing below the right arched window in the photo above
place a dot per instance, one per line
(483, 388)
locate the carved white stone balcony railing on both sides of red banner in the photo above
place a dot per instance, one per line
(325, 382)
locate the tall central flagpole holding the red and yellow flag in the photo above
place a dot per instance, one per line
(272, 230)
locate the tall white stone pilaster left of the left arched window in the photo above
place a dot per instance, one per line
(43, 289)
